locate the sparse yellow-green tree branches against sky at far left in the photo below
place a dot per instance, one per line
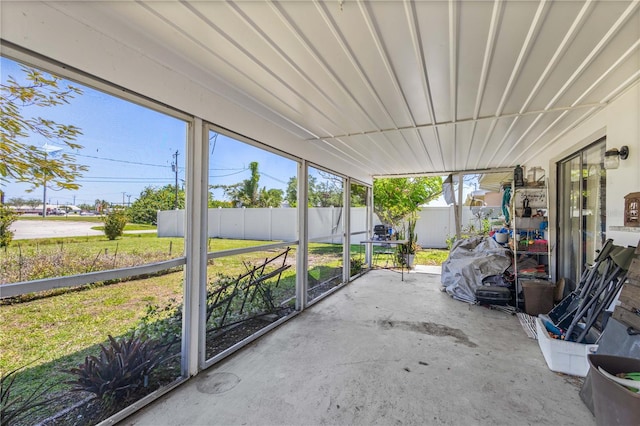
(22, 160)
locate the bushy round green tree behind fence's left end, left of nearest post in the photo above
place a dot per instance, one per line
(151, 199)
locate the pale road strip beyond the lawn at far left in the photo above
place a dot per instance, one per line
(28, 229)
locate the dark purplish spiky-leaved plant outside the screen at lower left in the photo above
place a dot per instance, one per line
(121, 368)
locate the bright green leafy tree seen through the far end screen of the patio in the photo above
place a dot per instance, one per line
(395, 199)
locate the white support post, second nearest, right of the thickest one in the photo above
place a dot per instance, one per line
(303, 237)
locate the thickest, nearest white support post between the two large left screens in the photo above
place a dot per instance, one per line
(195, 291)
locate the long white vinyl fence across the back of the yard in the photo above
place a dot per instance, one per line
(434, 226)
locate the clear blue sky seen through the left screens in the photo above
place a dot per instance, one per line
(128, 147)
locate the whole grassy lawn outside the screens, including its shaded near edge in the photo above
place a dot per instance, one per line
(52, 334)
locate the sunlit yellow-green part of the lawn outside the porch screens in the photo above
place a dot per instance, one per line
(40, 329)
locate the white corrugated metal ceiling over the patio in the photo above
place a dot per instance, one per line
(396, 87)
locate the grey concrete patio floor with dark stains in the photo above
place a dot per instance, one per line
(381, 351)
